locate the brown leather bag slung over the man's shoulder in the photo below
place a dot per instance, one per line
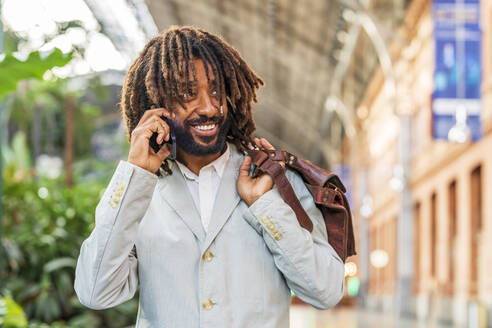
(325, 186)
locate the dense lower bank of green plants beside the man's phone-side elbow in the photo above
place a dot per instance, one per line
(44, 226)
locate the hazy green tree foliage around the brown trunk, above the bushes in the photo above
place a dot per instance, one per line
(43, 103)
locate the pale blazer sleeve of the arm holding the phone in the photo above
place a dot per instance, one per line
(106, 273)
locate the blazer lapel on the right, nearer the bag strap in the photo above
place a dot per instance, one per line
(227, 197)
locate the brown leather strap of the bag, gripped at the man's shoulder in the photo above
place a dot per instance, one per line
(276, 171)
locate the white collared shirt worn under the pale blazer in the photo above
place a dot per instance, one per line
(204, 187)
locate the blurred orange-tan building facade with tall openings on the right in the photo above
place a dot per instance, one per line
(450, 186)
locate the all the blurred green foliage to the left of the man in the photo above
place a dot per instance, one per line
(44, 222)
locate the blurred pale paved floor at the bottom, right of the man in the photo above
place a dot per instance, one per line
(308, 317)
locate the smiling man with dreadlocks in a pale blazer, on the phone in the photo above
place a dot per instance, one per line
(209, 245)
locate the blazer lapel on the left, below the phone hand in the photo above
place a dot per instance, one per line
(175, 192)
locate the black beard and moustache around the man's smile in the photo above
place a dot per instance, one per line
(185, 140)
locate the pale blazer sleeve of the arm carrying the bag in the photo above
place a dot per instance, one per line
(311, 267)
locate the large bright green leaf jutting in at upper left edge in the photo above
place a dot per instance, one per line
(13, 70)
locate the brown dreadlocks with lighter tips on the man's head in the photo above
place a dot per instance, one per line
(162, 70)
